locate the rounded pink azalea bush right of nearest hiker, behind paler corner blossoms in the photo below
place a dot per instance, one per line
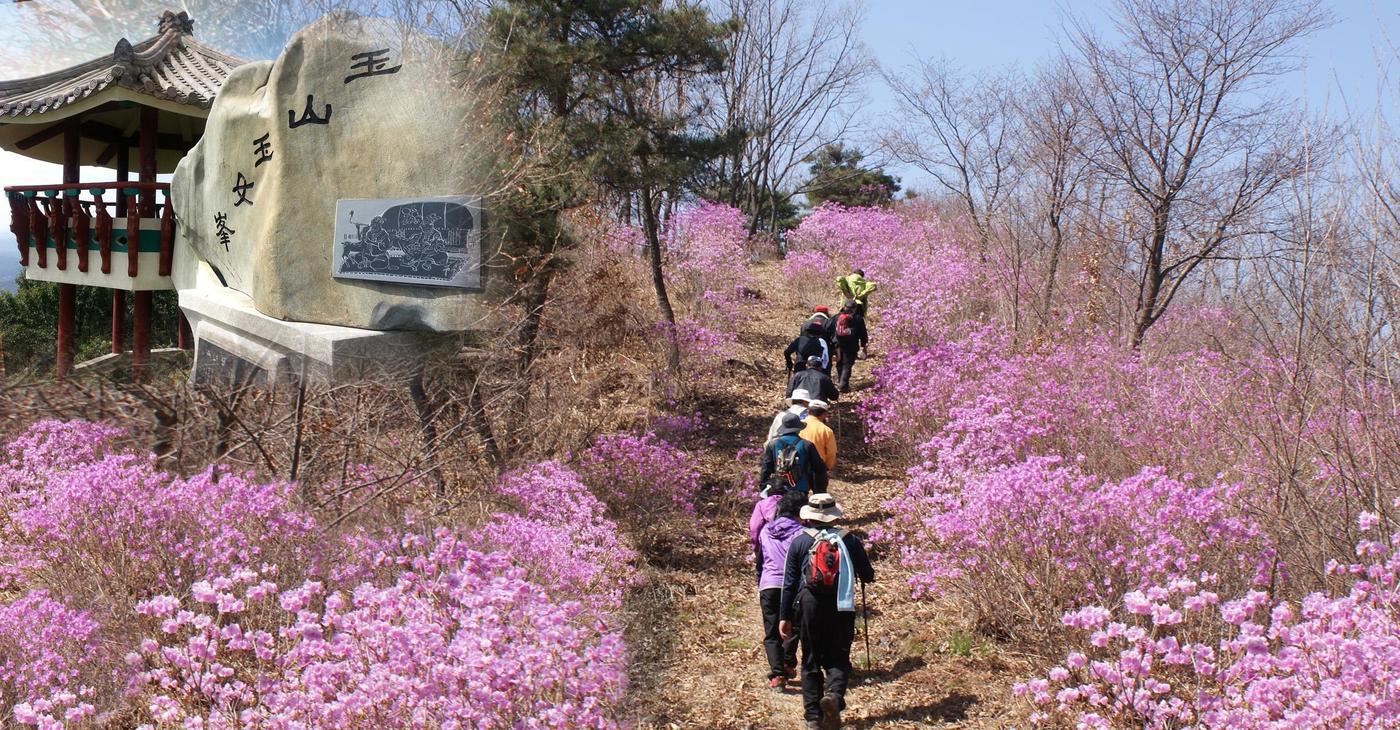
(1053, 536)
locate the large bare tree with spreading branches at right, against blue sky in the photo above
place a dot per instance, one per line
(1189, 130)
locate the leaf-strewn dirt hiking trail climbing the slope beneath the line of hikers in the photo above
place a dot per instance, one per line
(695, 628)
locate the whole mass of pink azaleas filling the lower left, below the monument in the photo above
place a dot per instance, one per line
(271, 619)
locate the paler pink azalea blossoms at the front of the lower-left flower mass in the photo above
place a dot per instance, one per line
(461, 638)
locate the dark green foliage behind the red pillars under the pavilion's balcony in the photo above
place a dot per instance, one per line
(30, 324)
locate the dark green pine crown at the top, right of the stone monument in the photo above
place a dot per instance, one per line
(593, 88)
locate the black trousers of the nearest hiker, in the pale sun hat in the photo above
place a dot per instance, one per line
(827, 637)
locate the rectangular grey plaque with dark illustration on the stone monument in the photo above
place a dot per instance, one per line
(428, 242)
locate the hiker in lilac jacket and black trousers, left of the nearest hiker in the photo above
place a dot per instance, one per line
(771, 554)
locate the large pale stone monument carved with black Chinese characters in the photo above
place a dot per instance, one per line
(330, 216)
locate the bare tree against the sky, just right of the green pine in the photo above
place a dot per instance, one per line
(793, 83)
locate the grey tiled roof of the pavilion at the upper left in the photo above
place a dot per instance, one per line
(171, 67)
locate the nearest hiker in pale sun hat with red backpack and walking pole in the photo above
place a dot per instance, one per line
(820, 596)
